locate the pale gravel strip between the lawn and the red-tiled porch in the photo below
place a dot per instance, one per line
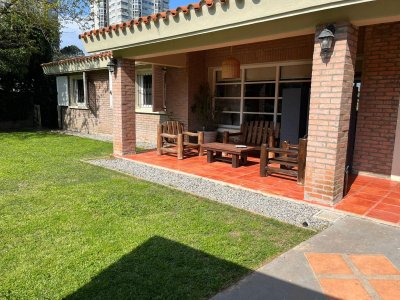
(289, 211)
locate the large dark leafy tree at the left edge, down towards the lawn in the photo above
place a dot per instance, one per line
(30, 36)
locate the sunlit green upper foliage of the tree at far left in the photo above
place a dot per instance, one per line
(28, 28)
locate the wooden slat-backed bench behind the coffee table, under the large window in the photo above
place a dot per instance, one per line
(255, 133)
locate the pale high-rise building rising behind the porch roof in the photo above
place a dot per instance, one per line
(107, 12)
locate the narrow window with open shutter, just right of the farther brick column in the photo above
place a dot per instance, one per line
(144, 87)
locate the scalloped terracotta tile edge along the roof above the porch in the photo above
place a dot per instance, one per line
(154, 17)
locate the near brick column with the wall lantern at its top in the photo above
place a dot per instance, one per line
(329, 116)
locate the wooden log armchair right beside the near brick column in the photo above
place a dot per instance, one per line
(290, 158)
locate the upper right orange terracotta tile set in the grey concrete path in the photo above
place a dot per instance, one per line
(374, 265)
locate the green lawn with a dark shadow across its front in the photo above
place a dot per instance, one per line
(72, 230)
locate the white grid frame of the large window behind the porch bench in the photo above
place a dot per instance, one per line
(242, 83)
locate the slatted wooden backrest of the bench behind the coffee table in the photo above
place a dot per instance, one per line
(256, 132)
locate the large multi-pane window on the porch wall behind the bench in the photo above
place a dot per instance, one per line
(257, 95)
